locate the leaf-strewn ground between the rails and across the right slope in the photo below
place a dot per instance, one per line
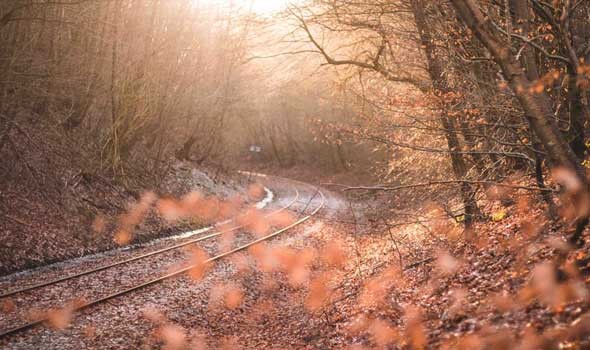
(338, 281)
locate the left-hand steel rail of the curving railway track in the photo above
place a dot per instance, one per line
(139, 257)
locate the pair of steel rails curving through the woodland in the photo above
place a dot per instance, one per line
(177, 273)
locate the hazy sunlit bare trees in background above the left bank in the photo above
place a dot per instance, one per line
(146, 80)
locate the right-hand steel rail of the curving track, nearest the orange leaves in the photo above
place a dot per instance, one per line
(82, 306)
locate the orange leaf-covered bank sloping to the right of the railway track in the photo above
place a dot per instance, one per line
(494, 287)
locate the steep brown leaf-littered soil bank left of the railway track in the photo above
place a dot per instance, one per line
(56, 205)
